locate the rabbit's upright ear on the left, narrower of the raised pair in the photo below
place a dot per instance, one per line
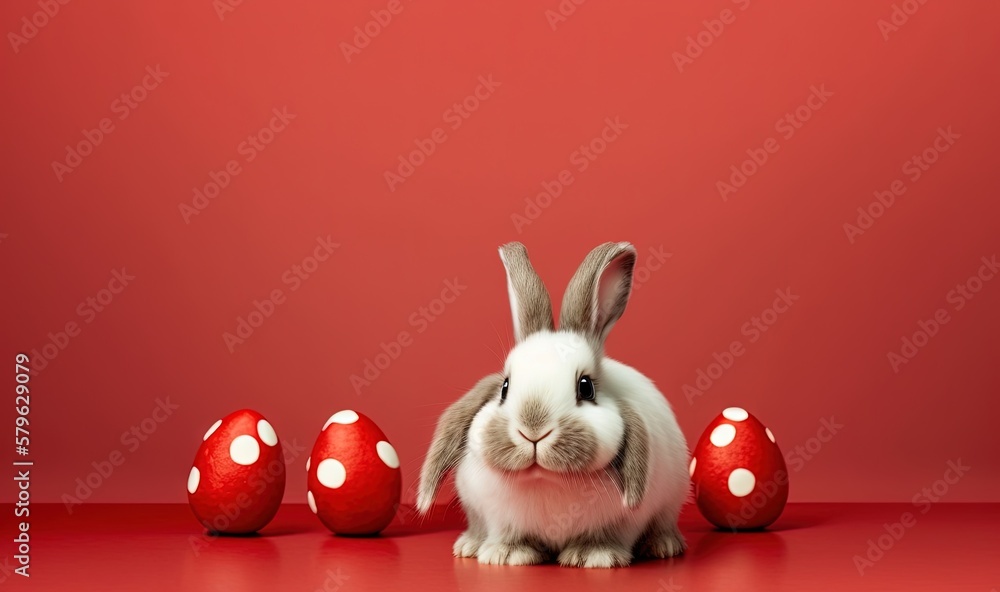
(529, 300)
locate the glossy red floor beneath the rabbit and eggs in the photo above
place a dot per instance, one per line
(811, 547)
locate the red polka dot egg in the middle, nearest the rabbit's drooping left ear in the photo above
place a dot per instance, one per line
(354, 482)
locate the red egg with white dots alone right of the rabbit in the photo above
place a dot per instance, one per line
(739, 474)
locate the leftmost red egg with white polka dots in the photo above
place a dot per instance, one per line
(238, 476)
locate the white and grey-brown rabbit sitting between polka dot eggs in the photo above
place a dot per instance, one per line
(566, 453)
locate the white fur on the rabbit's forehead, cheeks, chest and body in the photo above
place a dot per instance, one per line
(555, 507)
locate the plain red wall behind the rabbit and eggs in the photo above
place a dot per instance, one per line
(655, 186)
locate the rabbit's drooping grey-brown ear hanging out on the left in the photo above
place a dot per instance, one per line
(451, 438)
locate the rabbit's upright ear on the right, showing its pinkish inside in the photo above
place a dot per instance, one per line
(598, 293)
